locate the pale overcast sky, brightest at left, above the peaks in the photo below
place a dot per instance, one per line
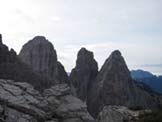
(132, 26)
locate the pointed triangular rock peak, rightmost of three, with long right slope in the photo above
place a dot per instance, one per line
(114, 86)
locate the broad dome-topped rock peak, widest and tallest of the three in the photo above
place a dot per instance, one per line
(41, 56)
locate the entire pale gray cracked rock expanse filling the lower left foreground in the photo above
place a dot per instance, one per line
(20, 102)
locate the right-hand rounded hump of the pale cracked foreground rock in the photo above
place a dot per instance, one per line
(68, 107)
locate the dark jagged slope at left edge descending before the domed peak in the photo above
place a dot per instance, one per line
(11, 67)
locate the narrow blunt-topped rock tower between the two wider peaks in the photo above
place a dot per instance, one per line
(83, 75)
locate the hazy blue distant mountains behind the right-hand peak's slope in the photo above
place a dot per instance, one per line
(155, 82)
